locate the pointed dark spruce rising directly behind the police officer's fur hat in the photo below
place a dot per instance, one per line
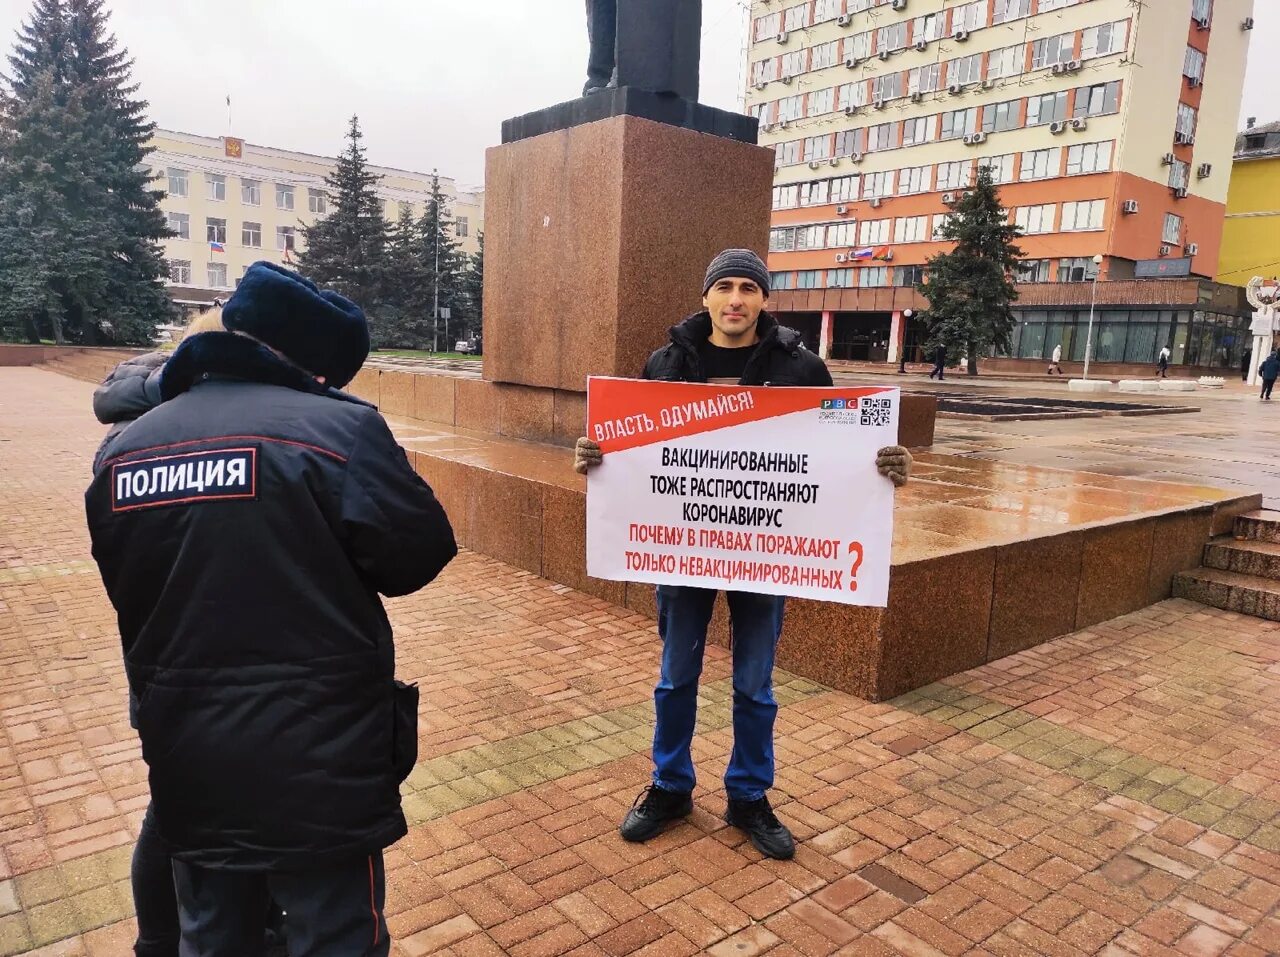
(346, 250)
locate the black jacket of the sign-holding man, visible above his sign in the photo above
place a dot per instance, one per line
(780, 359)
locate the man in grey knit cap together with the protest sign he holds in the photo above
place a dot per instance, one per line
(734, 342)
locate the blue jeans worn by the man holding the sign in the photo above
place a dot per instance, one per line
(684, 615)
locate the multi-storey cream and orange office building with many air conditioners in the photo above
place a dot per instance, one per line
(1109, 126)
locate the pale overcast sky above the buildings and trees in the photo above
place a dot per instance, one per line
(431, 80)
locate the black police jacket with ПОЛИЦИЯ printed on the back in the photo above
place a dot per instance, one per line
(244, 530)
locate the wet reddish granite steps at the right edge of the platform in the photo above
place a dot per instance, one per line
(1242, 573)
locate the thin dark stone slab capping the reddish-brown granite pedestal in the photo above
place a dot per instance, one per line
(668, 109)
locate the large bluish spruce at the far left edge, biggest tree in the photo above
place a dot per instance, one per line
(80, 223)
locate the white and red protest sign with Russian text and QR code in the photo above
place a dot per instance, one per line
(755, 489)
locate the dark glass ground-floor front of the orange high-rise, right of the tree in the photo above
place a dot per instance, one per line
(1195, 338)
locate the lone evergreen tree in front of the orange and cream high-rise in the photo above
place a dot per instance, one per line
(971, 289)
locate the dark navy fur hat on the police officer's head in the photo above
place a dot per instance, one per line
(322, 332)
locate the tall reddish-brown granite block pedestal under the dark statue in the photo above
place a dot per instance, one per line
(598, 239)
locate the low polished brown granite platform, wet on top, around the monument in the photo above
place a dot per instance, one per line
(989, 558)
